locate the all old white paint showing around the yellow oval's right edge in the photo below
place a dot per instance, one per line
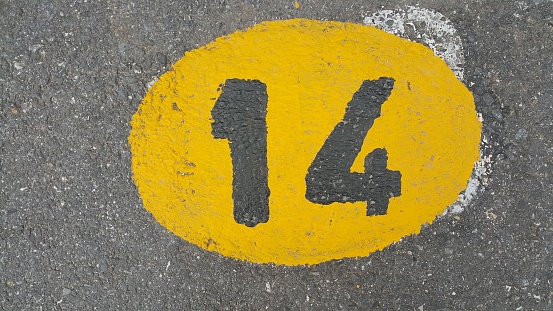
(437, 32)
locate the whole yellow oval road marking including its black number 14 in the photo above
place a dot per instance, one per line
(315, 96)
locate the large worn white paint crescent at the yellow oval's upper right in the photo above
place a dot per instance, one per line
(425, 26)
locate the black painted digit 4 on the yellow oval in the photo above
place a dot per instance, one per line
(329, 179)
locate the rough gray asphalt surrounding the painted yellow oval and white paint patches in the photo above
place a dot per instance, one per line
(75, 236)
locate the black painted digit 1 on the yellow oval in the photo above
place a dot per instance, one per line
(239, 115)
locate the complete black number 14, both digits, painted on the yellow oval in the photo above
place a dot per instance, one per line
(239, 115)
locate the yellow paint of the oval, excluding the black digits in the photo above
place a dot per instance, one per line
(311, 68)
